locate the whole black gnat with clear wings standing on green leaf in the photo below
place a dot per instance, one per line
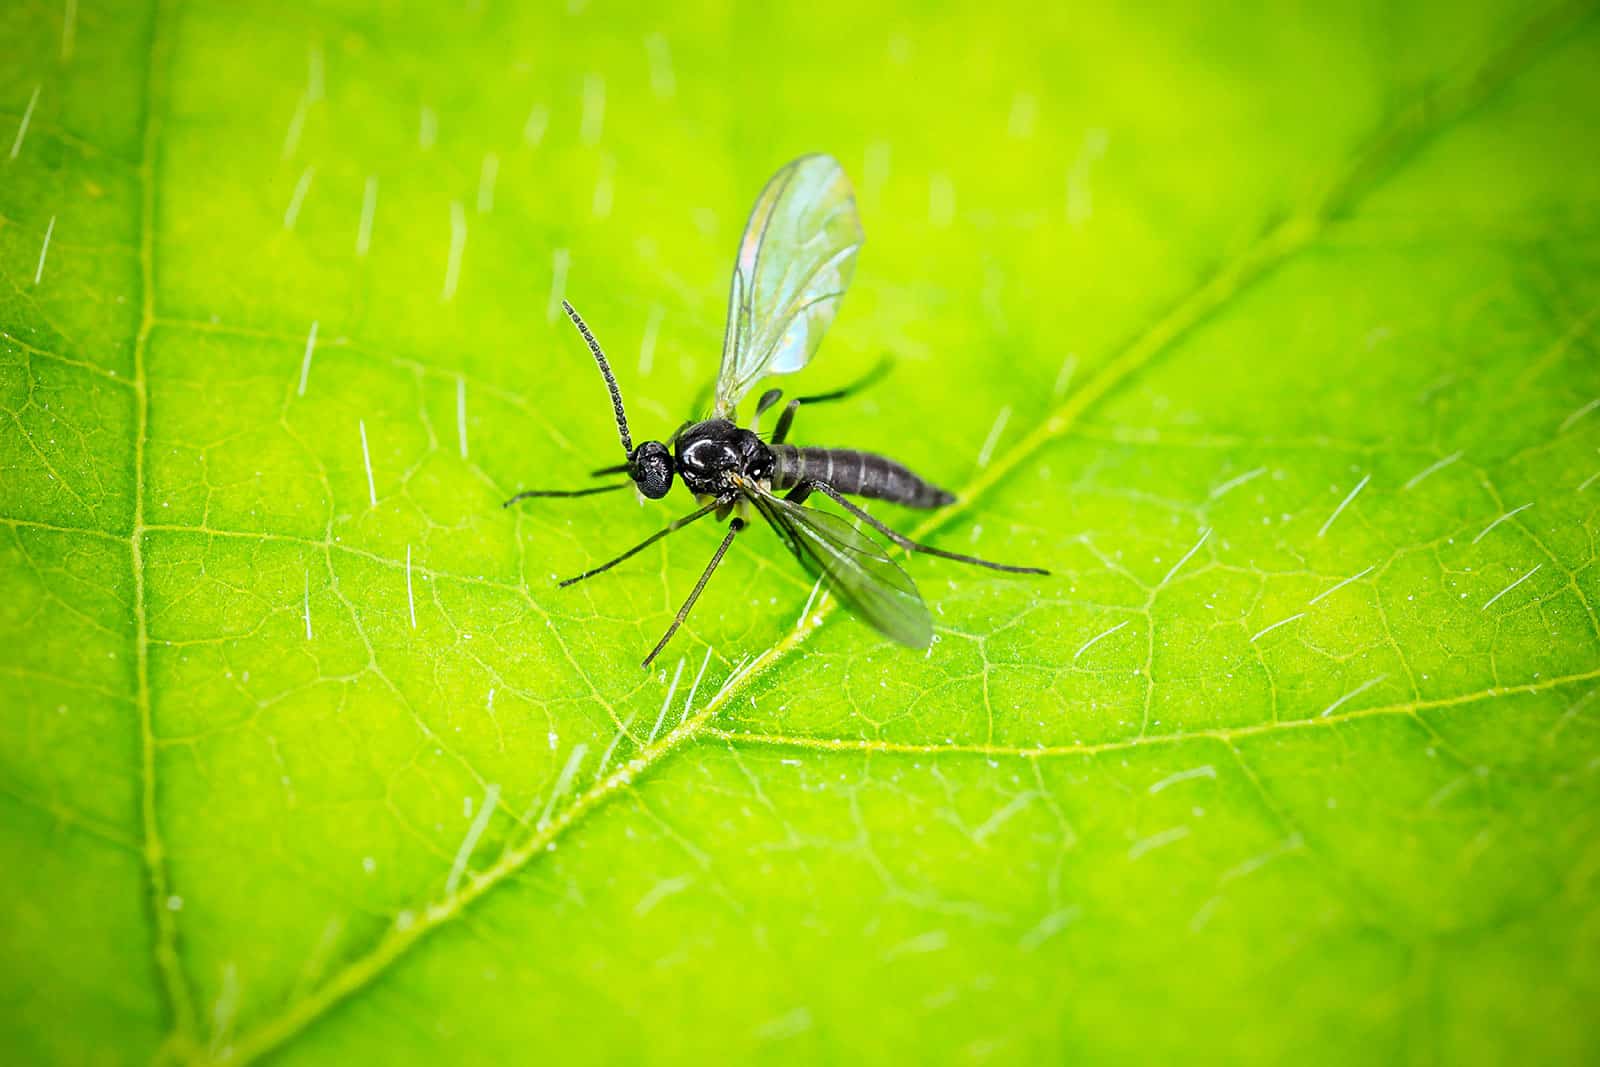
(796, 260)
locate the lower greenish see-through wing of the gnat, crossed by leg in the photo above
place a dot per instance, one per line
(854, 567)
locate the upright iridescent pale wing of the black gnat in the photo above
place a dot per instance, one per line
(794, 265)
